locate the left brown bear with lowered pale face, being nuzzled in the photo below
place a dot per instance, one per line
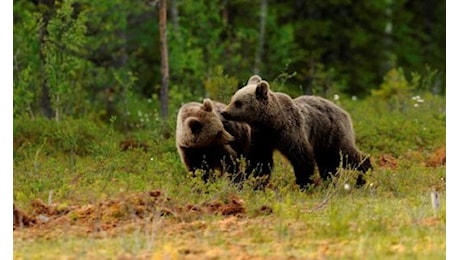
(206, 141)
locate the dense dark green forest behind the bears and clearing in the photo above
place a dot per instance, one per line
(99, 59)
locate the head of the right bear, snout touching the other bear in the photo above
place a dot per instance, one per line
(249, 104)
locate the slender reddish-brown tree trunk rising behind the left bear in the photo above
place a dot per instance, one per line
(164, 62)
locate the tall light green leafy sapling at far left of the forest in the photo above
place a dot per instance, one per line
(64, 68)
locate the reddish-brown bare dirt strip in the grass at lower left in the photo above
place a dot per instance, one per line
(118, 213)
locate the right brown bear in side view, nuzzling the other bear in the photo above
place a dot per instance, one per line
(306, 130)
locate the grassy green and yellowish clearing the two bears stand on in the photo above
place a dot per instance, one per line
(76, 163)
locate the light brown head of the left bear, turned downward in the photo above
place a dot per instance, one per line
(200, 125)
